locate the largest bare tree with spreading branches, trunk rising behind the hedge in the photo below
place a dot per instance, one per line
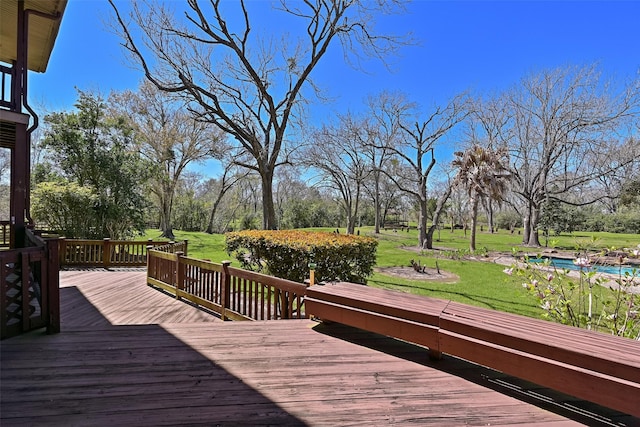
(240, 81)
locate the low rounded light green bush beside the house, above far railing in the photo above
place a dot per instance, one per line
(66, 208)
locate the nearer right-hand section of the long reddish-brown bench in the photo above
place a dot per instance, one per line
(593, 366)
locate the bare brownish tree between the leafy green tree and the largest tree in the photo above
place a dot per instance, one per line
(170, 139)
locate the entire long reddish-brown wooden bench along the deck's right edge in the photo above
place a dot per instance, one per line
(597, 367)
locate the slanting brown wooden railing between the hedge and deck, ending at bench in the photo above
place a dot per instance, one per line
(233, 293)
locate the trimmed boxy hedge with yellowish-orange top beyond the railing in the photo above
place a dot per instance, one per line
(287, 254)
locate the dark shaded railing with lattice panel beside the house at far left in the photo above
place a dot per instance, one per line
(29, 292)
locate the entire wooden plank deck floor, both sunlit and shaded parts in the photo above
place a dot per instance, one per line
(131, 355)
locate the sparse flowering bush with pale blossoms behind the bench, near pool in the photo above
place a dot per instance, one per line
(585, 298)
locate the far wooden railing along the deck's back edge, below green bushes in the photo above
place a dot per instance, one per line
(112, 253)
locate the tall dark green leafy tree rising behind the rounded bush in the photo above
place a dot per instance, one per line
(95, 151)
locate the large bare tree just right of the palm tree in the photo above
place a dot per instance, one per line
(560, 118)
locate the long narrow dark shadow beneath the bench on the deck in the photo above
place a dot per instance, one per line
(569, 407)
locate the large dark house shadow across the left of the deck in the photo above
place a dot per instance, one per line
(104, 374)
